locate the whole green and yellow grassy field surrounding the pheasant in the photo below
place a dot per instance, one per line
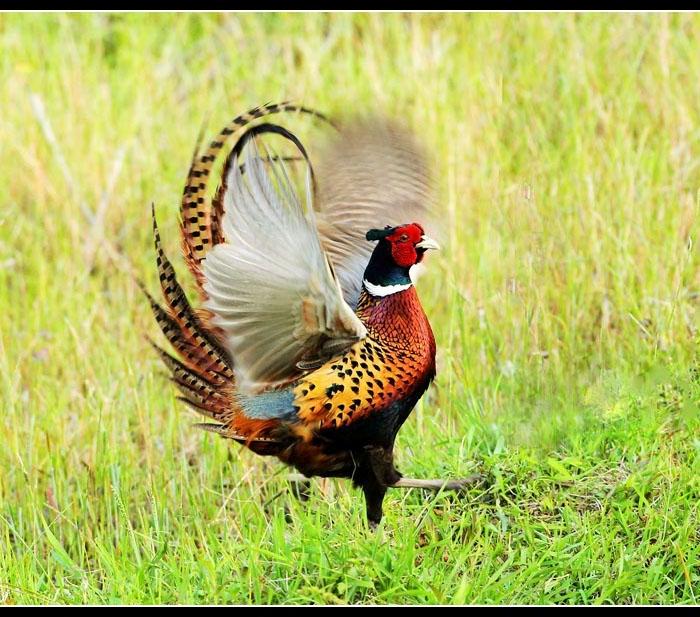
(565, 306)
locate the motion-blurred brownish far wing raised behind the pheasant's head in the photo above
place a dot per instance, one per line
(372, 174)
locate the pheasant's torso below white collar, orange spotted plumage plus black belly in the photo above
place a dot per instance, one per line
(364, 396)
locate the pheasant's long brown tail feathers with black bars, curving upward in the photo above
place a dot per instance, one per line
(204, 371)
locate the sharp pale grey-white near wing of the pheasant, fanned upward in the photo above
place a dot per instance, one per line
(271, 286)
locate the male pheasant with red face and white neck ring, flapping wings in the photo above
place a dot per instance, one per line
(311, 344)
